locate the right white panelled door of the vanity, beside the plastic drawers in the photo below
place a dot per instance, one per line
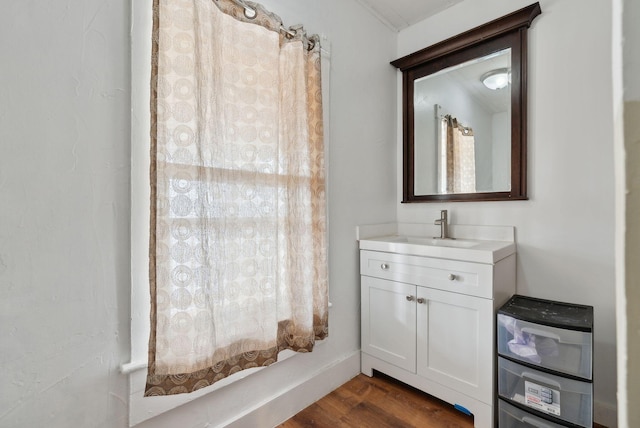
(455, 341)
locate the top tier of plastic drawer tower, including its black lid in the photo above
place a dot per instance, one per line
(551, 335)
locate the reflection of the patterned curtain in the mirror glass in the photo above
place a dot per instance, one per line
(458, 163)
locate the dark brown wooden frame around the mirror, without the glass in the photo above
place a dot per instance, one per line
(509, 31)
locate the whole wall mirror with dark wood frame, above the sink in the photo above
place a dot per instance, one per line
(465, 114)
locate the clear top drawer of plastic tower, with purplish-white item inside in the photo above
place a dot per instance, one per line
(558, 349)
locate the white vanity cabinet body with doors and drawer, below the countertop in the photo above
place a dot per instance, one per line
(430, 322)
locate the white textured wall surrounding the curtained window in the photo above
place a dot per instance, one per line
(64, 221)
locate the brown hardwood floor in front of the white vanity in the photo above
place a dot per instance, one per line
(379, 402)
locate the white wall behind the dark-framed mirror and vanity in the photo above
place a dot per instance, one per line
(565, 231)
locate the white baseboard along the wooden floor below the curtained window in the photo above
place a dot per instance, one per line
(310, 389)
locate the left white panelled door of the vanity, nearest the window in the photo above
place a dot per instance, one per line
(389, 321)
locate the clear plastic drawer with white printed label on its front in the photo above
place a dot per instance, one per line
(566, 399)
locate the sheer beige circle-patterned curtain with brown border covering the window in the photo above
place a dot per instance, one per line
(238, 225)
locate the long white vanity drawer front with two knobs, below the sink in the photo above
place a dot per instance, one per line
(473, 279)
